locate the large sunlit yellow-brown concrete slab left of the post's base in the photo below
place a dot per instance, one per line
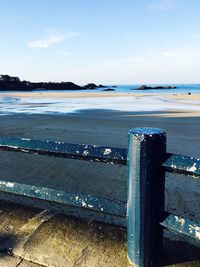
(77, 242)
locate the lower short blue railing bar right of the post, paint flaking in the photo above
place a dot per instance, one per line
(179, 225)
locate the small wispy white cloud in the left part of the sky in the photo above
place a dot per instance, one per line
(51, 39)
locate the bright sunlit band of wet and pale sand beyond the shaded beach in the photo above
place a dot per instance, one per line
(62, 102)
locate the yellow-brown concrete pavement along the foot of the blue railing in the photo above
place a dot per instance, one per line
(41, 238)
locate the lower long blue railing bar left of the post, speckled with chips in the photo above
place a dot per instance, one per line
(98, 204)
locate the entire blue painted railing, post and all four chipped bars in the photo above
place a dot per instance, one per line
(147, 162)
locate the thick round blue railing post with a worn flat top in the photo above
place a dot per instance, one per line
(147, 147)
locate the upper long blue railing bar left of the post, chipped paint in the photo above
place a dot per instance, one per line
(103, 154)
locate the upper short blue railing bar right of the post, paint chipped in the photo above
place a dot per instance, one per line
(182, 165)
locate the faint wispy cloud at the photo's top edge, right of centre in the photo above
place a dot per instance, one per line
(163, 5)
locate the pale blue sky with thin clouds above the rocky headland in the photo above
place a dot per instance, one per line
(101, 41)
